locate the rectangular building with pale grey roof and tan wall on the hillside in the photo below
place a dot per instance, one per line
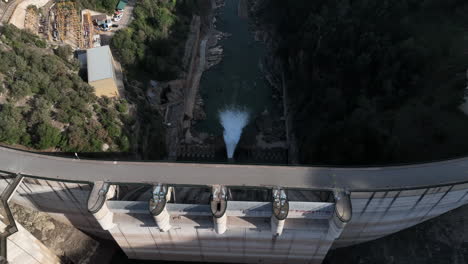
(101, 72)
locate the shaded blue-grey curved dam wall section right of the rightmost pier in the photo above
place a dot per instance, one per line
(376, 214)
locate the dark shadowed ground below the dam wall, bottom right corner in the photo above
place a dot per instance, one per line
(442, 240)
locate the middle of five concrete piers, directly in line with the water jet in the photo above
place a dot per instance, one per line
(218, 206)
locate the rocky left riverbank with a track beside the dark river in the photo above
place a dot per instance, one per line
(179, 99)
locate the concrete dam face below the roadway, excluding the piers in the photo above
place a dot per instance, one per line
(309, 231)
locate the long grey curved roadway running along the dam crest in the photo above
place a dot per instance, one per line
(319, 178)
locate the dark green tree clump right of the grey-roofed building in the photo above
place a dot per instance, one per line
(154, 42)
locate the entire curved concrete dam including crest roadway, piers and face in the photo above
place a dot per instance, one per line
(222, 212)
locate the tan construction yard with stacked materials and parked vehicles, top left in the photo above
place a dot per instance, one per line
(62, 21)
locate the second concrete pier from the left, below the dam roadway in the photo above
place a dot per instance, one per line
(157, 205)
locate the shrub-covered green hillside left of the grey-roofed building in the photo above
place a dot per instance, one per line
(44, 104)
